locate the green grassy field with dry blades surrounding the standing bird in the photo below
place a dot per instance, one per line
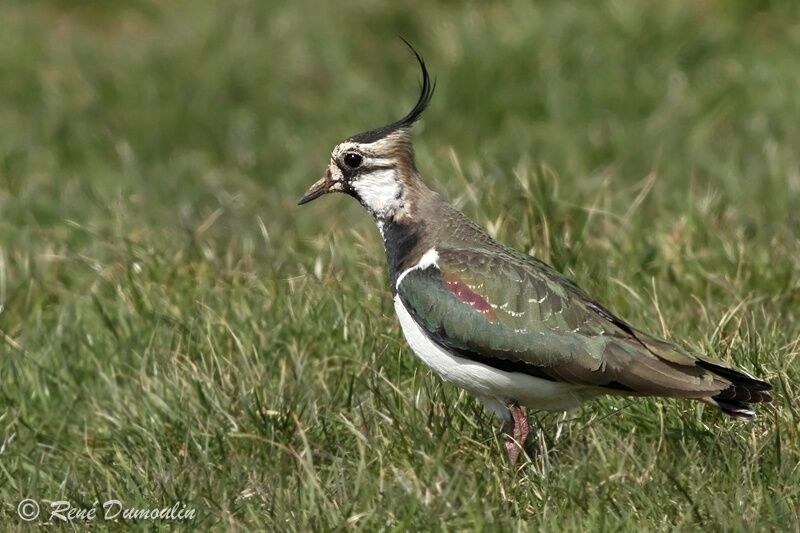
(173, 328)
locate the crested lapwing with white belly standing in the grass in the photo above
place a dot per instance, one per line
(497, 322)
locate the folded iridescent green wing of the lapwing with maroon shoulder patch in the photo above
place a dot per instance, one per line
(512, 312)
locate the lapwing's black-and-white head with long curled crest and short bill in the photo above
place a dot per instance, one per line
(376, 166)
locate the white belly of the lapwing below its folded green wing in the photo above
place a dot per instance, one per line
(488, 383)
